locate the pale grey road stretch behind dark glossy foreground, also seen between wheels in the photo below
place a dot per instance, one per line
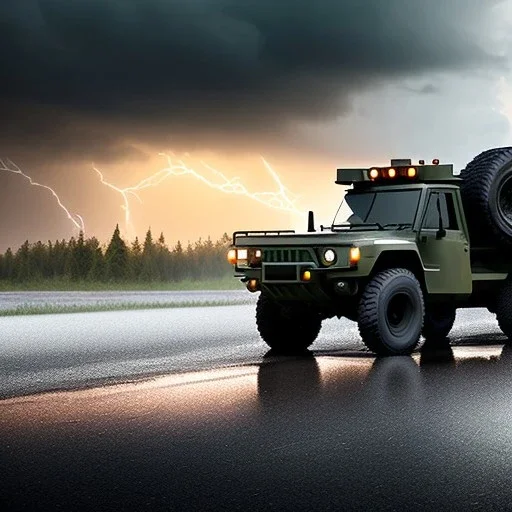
(66, 351)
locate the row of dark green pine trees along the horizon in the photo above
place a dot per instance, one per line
(84, 259)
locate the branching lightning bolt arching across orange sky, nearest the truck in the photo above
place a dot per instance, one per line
(282, 200)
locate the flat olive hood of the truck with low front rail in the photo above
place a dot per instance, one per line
(325, 238)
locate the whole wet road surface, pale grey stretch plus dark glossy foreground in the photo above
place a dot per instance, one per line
(337, 430)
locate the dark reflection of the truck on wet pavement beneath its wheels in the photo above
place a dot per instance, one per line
(393, 382)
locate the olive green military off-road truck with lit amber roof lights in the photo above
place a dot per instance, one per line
(420, 243)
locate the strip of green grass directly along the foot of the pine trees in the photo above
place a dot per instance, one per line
(225, 283)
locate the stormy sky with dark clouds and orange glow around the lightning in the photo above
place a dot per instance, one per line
(309, 85)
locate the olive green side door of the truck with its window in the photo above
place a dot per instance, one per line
(446, 259)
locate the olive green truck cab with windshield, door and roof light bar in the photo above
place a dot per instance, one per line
(423, 202)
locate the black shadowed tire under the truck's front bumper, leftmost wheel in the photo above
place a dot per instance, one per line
(287, 328)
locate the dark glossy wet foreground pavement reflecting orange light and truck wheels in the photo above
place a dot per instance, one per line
(325, 432)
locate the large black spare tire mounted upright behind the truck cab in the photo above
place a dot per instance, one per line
(486, 191)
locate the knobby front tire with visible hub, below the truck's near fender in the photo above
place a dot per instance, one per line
(391, 312)
